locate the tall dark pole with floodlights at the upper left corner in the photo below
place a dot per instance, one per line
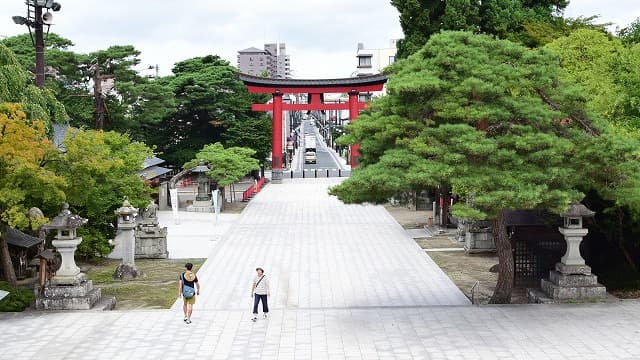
(36, 19)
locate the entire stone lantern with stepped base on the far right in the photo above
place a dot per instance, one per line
(572, 279)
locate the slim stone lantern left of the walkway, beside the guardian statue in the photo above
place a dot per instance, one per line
(126, 225)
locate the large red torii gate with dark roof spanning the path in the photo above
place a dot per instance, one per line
(315, 88)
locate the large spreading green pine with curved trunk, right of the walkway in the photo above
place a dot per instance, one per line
(497, 124)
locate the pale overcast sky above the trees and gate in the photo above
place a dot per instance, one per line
(321, 36)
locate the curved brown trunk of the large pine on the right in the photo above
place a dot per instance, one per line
(502, 292)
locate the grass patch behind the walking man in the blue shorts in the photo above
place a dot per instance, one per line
(158, 289)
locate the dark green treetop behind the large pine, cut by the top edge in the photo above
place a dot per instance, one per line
(420, 19)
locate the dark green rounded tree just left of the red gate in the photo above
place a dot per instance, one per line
(212, 105)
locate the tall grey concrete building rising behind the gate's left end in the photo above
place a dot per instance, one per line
(273, 61)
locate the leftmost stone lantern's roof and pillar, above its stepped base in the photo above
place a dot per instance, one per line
(66, 242)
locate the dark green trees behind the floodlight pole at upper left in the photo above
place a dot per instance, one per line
(136, 105)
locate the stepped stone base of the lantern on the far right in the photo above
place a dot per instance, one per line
(568, 283)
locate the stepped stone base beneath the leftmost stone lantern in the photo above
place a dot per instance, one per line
(82, 296)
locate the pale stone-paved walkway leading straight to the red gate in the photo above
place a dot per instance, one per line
(320, 253)
